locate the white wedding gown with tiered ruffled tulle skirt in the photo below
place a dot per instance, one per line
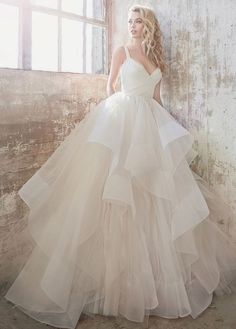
(122, 225)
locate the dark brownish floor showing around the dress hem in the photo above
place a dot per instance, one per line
(221, 314)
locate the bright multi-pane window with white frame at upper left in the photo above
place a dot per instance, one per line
(55, 35)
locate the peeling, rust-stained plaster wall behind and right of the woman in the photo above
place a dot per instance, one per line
(199, 88)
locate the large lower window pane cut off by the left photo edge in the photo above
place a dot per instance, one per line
(9, 22)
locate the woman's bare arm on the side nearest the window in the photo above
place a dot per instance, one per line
(118, 58)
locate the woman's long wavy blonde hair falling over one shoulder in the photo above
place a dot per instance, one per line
(152, 36)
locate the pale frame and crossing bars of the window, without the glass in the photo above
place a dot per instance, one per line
(25, 30)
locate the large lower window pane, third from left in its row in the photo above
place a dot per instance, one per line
(72, 46)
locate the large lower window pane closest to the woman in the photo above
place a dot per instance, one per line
(95, 49)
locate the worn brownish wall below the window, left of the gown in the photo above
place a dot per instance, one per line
(37, 111)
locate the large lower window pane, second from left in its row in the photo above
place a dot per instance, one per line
(44, 42)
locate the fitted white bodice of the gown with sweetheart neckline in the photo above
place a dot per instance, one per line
(135, 80)
